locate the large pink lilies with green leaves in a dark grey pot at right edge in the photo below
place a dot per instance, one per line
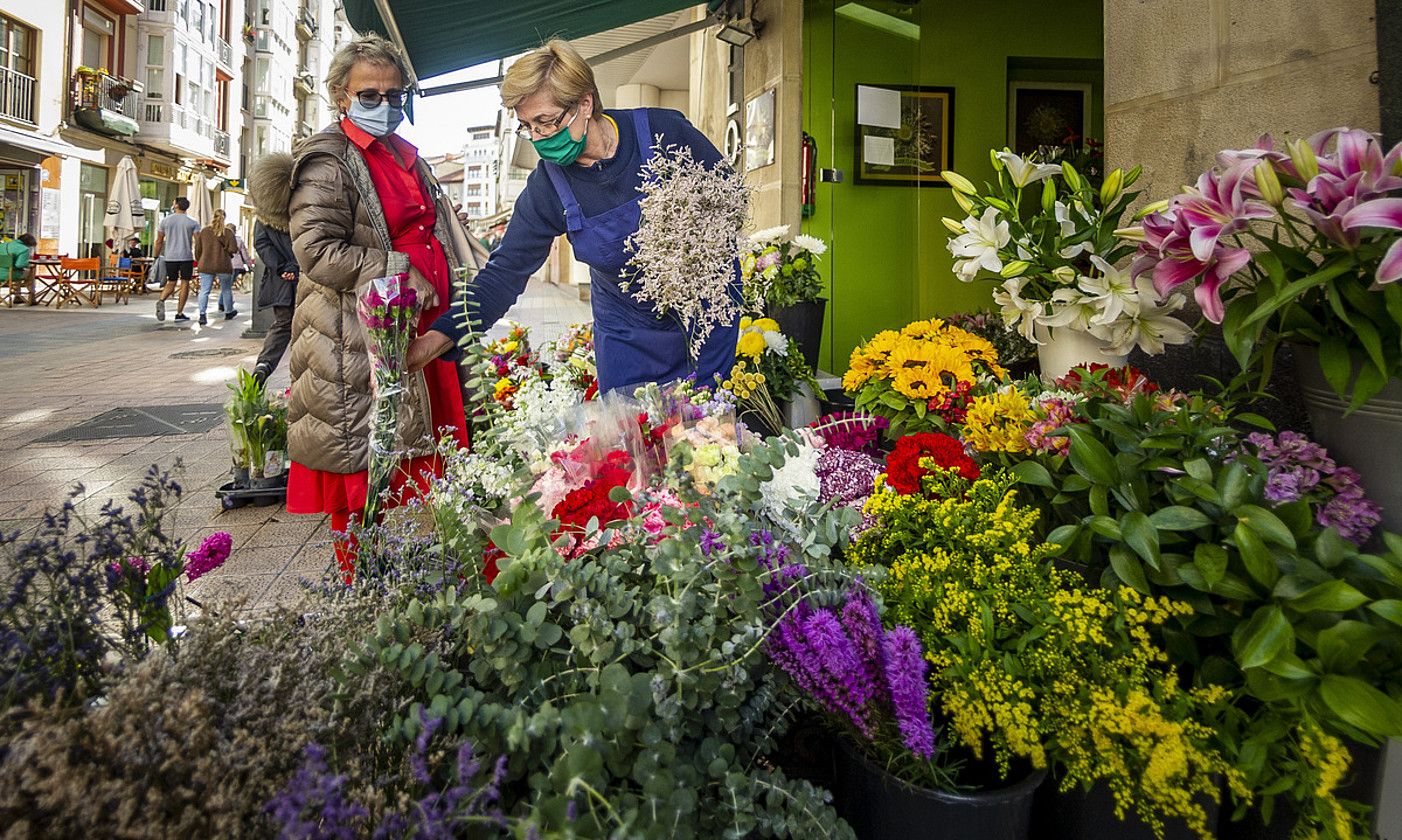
(1303, 248)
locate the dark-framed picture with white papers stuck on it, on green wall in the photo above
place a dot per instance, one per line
(905, 135)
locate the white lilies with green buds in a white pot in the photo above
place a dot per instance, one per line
(1054, 245)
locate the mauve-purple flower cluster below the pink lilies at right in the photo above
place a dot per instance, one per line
(1300, 469)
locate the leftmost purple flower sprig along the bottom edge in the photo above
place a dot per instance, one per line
(313, 806)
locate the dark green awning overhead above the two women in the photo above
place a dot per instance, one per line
(445, 36)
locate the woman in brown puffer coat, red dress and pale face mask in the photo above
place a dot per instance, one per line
(364, 207)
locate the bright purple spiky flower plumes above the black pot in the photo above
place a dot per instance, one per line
(855, 668)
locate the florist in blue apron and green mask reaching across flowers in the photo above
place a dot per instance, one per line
(587, 187)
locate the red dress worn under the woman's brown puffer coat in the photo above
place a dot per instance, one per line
(410, 214)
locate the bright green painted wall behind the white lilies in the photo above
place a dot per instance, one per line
(888, 263)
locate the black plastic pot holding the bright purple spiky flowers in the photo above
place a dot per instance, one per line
(881, 807)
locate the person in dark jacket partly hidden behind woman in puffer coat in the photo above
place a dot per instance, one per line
(271, 186)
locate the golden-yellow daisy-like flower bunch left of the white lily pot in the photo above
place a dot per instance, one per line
(923, 361)
